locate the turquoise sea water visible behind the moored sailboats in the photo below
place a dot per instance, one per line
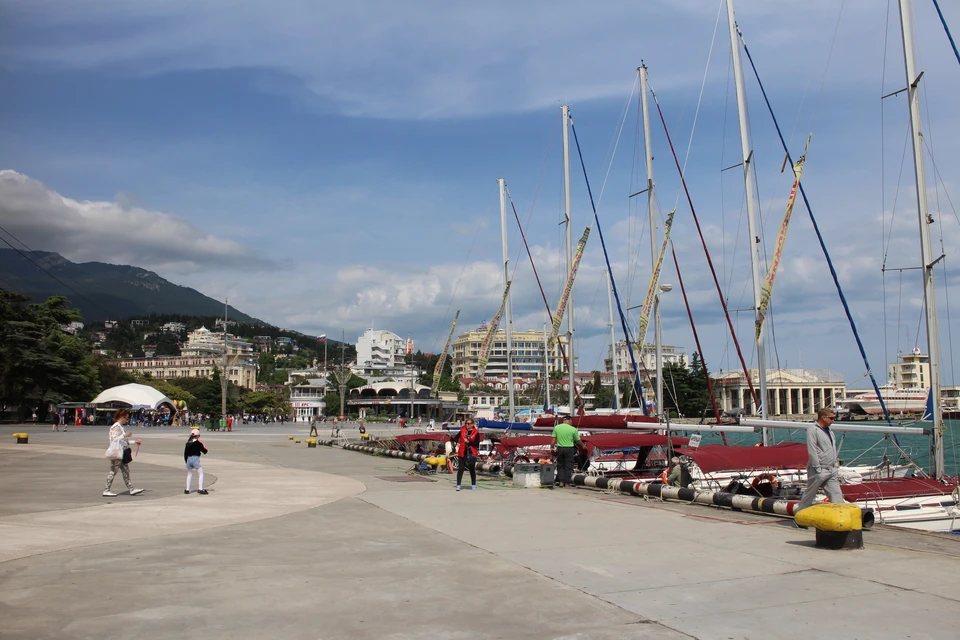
(869, 448)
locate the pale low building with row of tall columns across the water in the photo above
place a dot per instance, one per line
(790, 391)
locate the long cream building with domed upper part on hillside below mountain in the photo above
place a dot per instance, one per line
(203, 352)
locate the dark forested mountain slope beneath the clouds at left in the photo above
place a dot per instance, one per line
(104, 291)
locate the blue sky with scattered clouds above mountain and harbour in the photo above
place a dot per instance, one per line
(331, 167)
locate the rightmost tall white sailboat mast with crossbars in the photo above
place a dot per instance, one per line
(926, 253)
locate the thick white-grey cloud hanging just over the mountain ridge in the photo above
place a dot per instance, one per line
(113, 232)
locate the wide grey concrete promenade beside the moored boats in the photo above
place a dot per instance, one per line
(322, 543)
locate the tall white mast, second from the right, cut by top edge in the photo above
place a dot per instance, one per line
(747, 152)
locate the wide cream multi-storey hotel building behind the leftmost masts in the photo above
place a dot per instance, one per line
(527, 349)
